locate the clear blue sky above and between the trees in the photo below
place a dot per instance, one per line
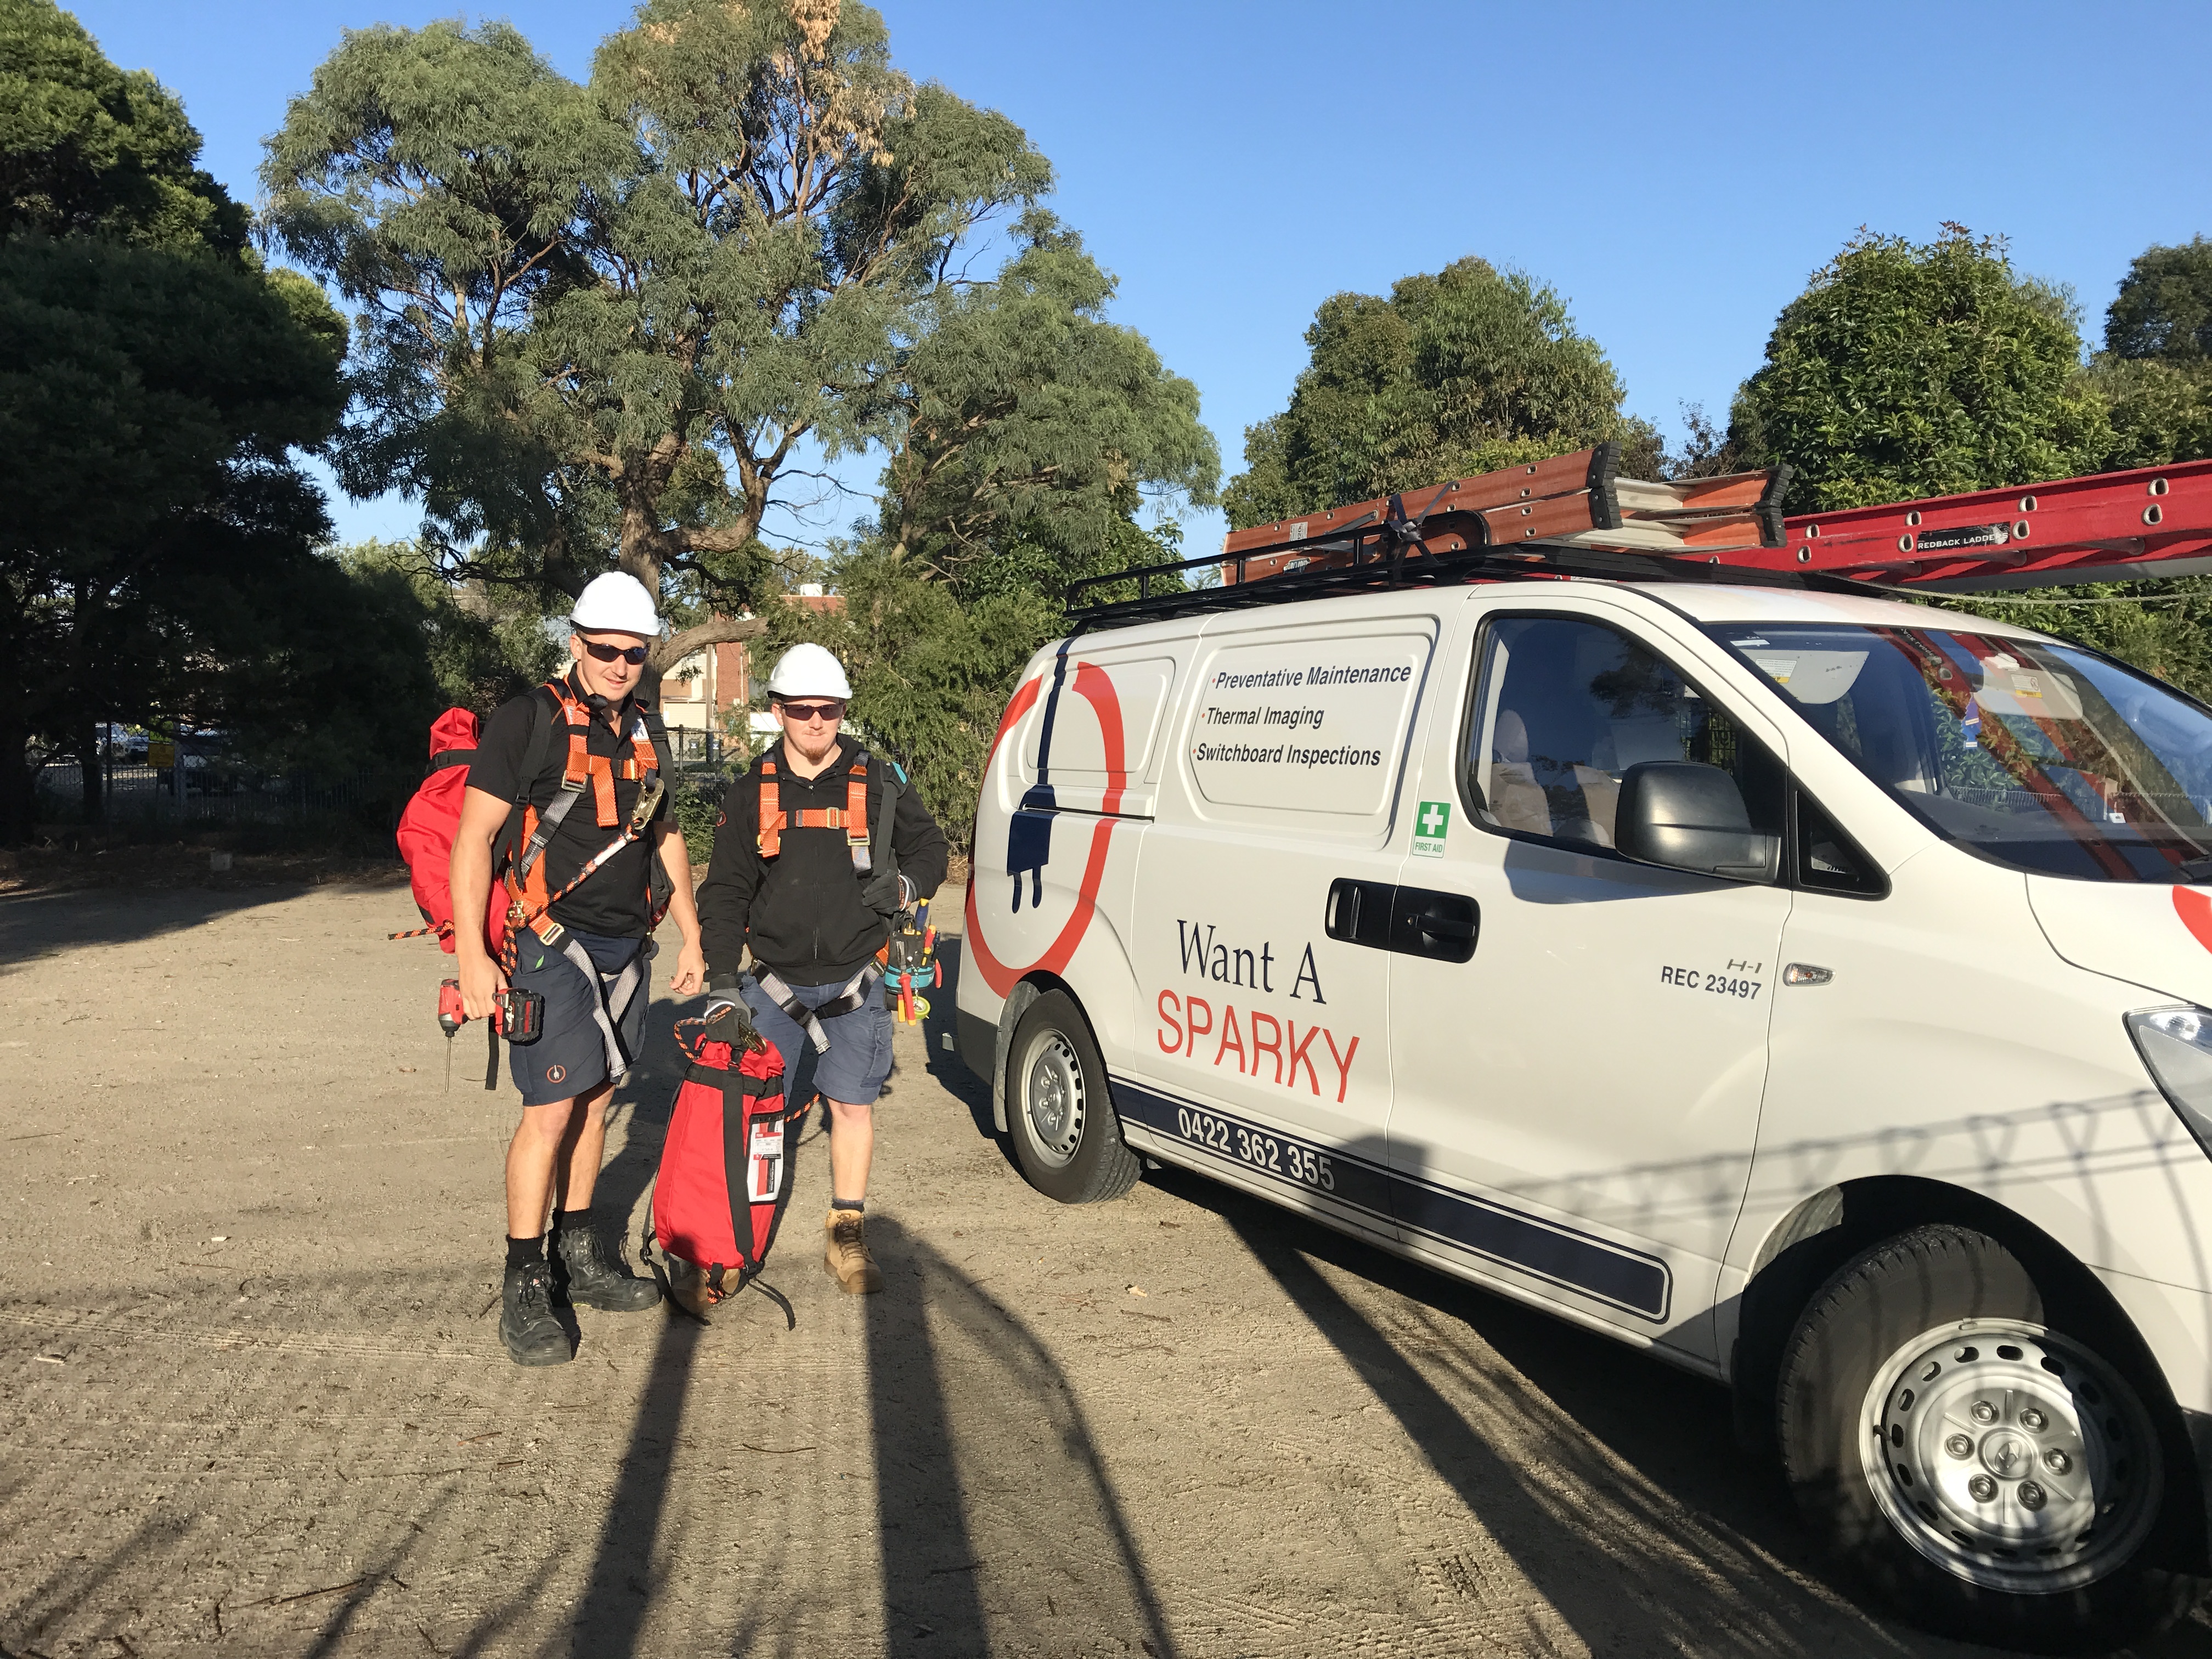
(1673, 171)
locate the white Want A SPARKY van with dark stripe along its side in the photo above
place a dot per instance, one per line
(1806, 988)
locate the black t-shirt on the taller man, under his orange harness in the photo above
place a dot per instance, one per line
(614, 901)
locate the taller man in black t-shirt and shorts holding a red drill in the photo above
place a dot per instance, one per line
(572, 778)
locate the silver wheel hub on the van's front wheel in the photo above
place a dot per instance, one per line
(2012, 1457)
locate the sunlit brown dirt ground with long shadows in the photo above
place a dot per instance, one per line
(253, 1397)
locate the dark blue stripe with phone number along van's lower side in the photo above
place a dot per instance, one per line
(1627, 1280)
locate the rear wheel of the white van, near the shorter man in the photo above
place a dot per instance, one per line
(1065, 1129)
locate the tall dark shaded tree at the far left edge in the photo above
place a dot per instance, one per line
(154, 384)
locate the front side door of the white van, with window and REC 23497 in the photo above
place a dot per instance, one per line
(1576, 1105)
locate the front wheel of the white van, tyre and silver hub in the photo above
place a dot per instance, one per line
(1987, 1477)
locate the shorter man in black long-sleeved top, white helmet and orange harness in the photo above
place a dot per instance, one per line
(817, 848)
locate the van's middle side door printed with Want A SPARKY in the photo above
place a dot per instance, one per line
(1266, 1041)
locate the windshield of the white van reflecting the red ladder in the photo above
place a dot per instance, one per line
(2038, 758)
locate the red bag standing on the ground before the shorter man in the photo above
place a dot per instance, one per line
(724, 1173)
